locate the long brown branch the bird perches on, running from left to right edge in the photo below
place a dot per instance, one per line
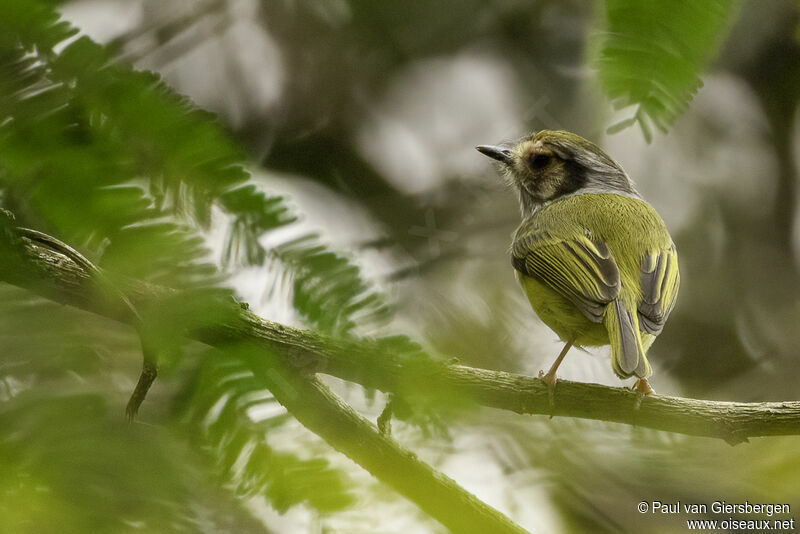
(367, 363)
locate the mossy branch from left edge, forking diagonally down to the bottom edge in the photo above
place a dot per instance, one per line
(305, 397)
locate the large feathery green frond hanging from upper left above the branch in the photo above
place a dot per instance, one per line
(145, 167)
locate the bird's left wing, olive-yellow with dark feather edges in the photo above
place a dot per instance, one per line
(580, 269)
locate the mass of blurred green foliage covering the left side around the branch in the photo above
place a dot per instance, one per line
(111, 160)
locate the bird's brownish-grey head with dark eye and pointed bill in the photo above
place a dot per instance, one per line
(551, 164)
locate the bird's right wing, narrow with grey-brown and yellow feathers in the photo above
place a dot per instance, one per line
(660, 280)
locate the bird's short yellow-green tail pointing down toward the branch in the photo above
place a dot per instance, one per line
(627, 353)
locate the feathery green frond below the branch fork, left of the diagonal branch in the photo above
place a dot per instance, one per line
(218, 406)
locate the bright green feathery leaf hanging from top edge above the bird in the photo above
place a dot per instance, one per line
(651, 55)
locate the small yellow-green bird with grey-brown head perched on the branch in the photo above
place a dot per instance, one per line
(594, 258)
